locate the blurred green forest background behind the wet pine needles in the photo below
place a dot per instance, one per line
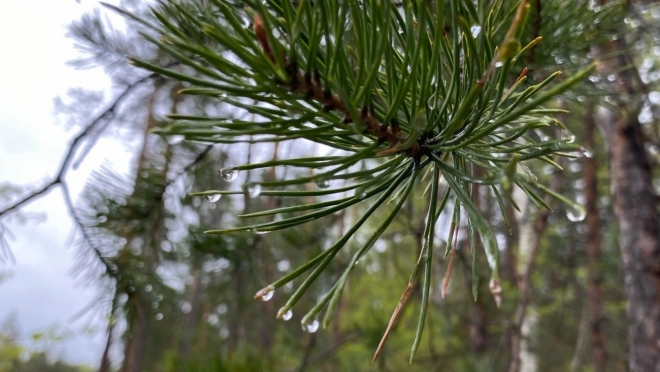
(218, 322)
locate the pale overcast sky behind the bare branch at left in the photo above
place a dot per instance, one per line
(40, 291)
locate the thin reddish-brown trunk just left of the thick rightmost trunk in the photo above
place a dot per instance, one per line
(593, 248)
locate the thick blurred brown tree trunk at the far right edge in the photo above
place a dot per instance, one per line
(636, 211)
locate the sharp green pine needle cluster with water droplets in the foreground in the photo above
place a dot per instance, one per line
(408, 93)
